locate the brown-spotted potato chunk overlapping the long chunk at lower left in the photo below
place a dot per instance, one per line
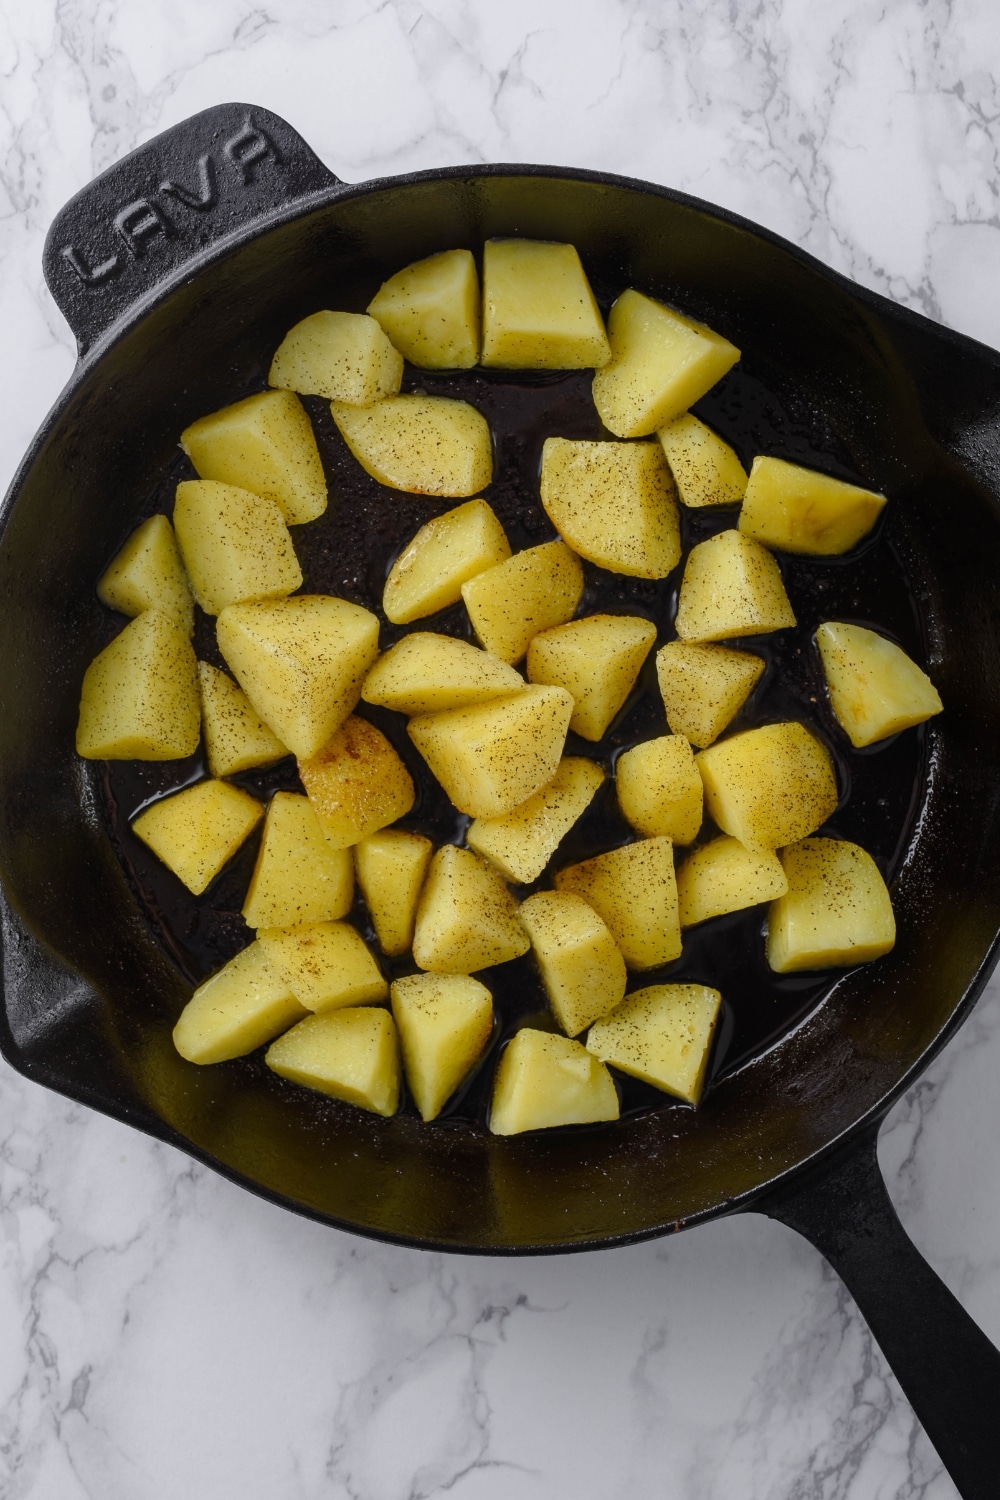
(326, 965)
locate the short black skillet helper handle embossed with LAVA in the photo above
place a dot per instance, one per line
(160, 209)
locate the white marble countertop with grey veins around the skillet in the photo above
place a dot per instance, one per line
(166, 1336)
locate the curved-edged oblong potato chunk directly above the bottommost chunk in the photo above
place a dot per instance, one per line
(582, 971)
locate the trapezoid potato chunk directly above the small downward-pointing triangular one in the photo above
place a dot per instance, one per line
(732, 587)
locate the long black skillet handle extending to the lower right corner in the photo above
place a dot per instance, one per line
(948, 1369)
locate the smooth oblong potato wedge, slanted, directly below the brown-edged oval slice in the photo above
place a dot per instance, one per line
(430, 574)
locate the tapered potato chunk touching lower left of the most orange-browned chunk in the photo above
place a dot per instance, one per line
(298, 878)
